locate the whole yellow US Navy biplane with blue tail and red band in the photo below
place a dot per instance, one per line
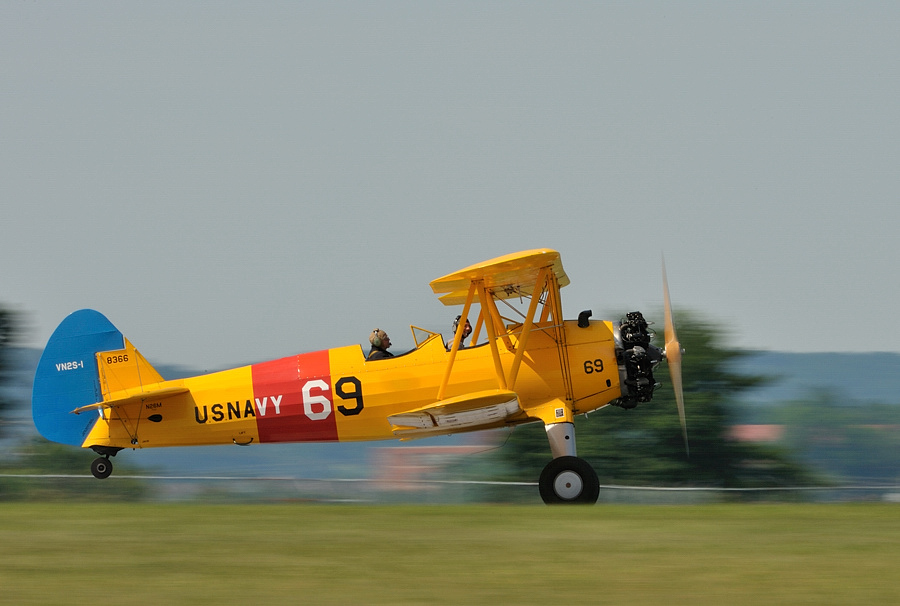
(93, 389)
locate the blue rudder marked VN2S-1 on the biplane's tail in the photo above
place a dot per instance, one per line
(67, 376)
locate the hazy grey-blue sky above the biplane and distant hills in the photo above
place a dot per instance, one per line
(230, 183)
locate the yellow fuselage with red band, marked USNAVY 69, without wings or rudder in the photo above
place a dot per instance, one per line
(337, 395)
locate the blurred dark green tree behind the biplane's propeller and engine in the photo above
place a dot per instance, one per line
(644, 446)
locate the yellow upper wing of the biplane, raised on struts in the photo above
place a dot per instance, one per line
(506, 276)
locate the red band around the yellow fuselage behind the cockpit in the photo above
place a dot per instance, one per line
(278, 389)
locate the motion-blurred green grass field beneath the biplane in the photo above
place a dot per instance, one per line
(312, 554)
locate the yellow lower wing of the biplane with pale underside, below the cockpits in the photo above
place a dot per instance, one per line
(482, 408)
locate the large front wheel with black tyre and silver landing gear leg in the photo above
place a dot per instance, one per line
(567, 479)
